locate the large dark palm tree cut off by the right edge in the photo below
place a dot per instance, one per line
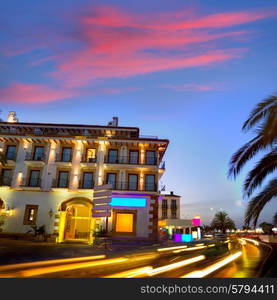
(263, 119)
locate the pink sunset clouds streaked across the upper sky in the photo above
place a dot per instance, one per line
(107, 42)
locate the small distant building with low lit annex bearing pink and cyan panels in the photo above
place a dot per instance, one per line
(170, 222)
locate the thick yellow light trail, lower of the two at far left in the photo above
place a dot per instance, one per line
(69, 267)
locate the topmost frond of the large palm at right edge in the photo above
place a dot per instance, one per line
(259, 112)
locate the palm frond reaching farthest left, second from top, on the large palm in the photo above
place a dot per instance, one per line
(244, 154)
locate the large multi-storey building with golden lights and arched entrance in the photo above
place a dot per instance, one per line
(51, 171)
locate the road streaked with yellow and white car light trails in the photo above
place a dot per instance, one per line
(231, 258)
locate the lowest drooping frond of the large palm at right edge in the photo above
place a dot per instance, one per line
(256, 205)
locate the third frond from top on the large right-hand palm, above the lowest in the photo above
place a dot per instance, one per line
(263, 168)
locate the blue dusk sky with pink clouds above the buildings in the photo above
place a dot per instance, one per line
(189, 71)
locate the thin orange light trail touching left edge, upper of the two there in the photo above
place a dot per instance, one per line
(49, 262)
